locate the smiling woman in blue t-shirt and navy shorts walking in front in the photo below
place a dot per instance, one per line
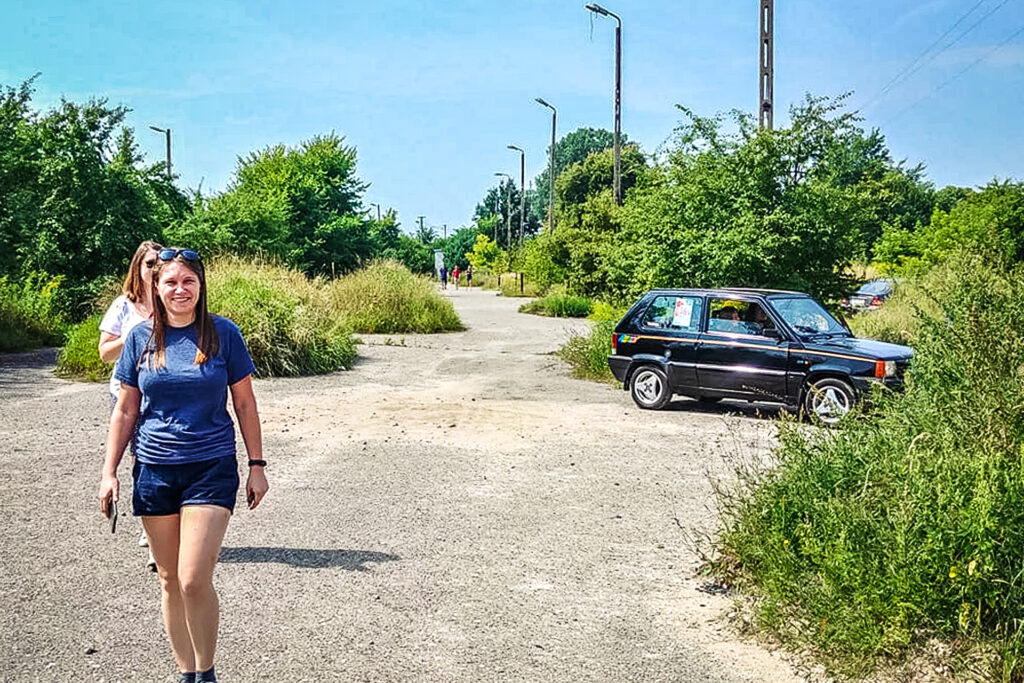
(176, 374)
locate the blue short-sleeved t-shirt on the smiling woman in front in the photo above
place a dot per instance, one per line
(184, 416)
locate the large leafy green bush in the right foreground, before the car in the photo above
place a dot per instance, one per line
(909, 525)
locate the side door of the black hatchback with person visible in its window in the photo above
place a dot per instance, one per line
(745, 356)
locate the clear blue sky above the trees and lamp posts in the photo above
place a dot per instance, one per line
(432, 94)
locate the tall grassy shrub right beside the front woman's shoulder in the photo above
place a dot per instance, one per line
(286, 319)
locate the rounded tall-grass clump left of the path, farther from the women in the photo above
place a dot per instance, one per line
(387, 298)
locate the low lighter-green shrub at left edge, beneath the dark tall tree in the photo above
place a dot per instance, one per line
(29, 318)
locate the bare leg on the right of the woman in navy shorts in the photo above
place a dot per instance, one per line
(202, 532)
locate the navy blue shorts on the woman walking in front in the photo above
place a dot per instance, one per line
(163, 490)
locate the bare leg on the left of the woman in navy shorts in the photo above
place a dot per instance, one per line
(164, 542)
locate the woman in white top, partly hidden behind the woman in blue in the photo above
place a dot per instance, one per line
(134, 307)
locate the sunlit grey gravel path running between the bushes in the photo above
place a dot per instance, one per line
(455, 508)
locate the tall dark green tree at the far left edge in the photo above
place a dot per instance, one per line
(75, 200)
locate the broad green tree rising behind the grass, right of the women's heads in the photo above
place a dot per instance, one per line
(303, 205)
